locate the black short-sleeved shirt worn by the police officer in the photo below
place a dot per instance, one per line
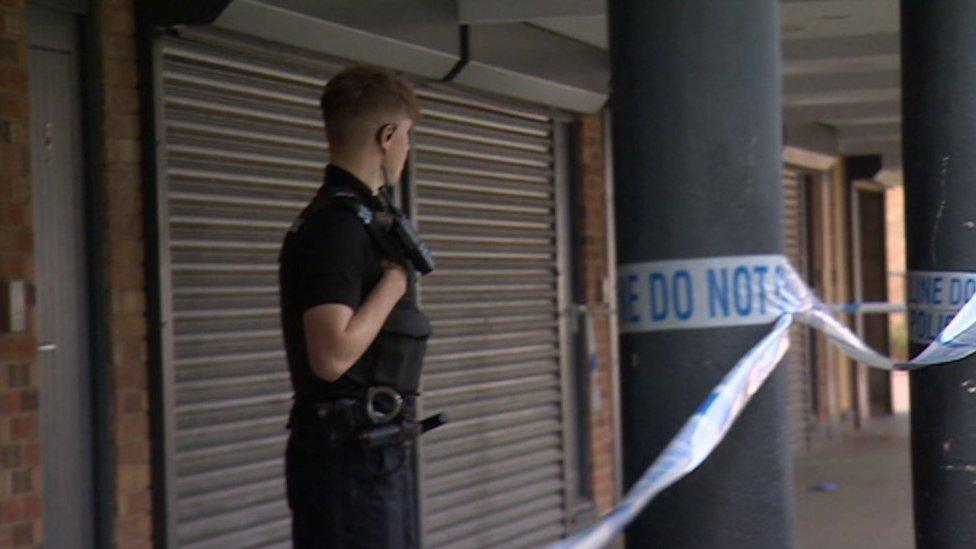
(327, 257)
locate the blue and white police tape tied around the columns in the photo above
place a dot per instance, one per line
(787, 295)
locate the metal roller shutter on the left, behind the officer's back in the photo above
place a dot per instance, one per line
(241, 152)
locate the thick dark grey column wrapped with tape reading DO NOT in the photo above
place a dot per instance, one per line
(697, 142)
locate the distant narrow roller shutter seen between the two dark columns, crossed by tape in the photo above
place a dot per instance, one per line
(798, 357)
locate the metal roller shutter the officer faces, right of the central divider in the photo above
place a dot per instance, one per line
(486, 202)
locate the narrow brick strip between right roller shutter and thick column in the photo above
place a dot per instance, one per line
(593, 225)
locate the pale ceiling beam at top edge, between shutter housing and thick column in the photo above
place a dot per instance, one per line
(516, 11)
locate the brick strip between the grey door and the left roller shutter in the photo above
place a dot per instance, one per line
(125, 272)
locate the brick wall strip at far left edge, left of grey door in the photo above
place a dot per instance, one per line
(20, 467)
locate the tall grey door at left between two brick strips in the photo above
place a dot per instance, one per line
(62, 315)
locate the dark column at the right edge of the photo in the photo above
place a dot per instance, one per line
(939, 126)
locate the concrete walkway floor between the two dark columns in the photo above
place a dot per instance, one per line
(871, 507)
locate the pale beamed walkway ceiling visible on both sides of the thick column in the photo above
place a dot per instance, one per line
(841, 65)
